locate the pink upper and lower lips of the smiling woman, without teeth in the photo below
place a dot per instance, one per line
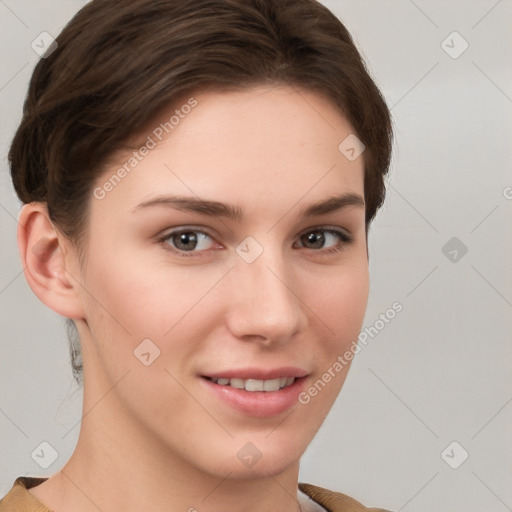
(259, 404)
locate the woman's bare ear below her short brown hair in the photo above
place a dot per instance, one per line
(50, 262)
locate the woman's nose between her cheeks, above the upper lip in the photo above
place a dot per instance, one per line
(263, 303)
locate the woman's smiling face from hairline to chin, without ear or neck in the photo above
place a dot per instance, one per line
(175, 295)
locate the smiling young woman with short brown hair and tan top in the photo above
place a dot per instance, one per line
(198, 179)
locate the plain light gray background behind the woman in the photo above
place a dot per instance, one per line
(440, 371)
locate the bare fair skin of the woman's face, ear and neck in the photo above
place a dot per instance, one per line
(154, 434)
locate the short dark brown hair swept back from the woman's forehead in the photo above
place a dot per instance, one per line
(118, 63)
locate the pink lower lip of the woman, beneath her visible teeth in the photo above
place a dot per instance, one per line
(260, 404)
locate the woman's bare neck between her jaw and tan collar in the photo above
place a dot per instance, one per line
(118, 465)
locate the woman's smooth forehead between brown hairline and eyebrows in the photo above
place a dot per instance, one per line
(267, 145)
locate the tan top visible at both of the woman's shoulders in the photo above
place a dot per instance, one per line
(18, 499)
